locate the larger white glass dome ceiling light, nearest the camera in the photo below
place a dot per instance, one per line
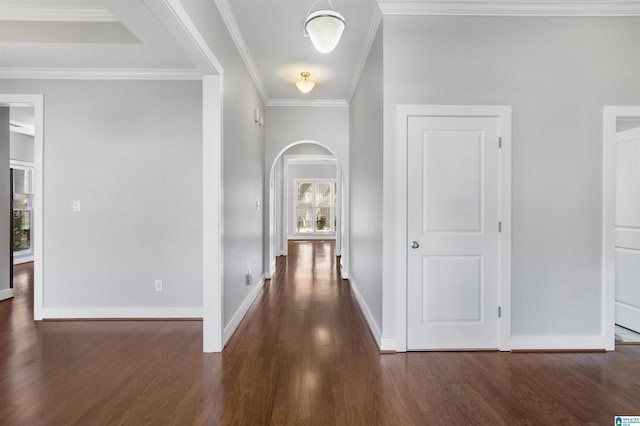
(324, 27)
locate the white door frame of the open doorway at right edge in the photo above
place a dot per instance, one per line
(610, 117)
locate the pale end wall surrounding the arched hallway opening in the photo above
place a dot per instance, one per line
(328, 126)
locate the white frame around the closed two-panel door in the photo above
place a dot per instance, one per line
(503, 113)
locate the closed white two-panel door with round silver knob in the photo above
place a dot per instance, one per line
(453, 214)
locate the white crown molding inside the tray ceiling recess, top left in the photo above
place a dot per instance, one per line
(57, 13)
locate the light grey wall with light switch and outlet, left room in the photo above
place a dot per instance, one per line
(130, 152)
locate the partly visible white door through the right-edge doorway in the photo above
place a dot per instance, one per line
(627, 226)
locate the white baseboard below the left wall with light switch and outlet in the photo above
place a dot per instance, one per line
(115, 313)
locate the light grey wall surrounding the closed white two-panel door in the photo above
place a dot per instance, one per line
(557, 73)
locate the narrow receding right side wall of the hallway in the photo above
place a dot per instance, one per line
(366, 190)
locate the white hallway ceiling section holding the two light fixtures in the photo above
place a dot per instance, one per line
(273, 33)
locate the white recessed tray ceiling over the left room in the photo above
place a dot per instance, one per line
(84, 34)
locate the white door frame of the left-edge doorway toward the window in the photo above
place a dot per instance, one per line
(37, 102)
